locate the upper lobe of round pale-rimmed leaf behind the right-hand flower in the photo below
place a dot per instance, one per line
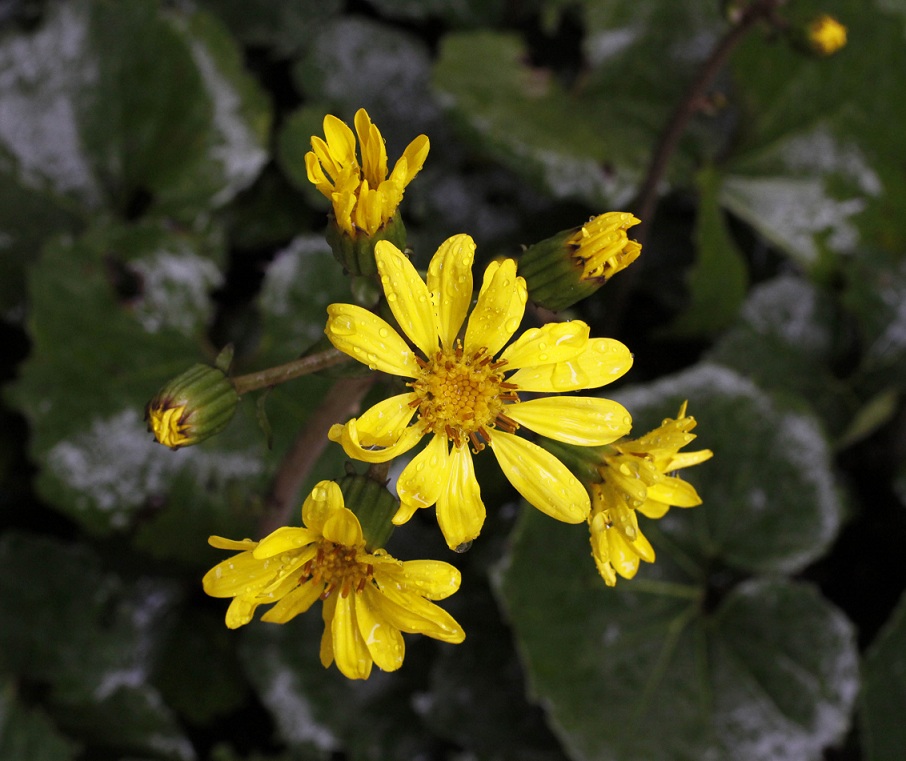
(771, 503)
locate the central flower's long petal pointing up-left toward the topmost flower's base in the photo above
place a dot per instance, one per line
(407, 296)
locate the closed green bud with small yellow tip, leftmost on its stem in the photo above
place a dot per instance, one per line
(192, 407)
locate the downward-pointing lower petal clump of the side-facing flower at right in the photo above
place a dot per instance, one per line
(617, 543)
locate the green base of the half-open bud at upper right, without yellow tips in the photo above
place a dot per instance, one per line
(553, 275)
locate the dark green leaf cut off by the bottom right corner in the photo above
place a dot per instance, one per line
(884, 691)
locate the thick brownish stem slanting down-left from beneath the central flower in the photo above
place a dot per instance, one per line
(341, 402)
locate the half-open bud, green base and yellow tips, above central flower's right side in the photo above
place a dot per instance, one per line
(570, 266)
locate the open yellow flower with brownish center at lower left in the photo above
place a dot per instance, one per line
(369, 598)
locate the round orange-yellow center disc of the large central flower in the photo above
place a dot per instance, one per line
(462, 397)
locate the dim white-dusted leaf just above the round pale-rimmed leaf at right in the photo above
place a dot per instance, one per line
(785, 340)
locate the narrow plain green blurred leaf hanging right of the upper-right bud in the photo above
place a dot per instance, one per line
(718, 280)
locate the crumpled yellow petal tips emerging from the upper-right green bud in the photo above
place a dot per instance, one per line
(603, 246)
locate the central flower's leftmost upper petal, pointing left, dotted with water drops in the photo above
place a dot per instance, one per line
(370, 340)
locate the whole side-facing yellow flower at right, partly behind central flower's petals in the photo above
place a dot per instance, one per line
(636, 476)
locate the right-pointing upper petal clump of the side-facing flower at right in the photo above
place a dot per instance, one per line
(637, 472)
